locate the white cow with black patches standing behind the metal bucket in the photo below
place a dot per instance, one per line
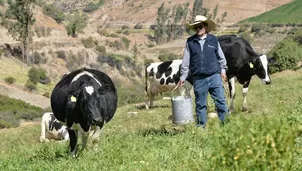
(164, 76)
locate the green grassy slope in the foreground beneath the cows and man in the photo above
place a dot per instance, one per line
(268, 137)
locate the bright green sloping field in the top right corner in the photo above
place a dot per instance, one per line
(289, 13)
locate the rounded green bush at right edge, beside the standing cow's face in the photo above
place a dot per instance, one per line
(287, 53)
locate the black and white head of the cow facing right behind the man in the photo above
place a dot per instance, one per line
(260, 67)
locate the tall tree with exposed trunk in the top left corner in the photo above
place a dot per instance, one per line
(21, 18)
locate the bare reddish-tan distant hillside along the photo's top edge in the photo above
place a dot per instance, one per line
(113, 12)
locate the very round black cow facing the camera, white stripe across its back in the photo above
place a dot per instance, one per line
(83, 100)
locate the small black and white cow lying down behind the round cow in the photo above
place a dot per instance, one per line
(51, 128)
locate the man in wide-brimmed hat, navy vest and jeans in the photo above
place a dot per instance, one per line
(205, 60)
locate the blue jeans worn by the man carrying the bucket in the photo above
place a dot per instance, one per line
(212, 84)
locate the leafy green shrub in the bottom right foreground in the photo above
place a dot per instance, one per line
(259, 147)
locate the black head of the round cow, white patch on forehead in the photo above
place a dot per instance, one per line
(90, 105)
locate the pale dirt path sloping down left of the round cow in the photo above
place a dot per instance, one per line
(17, 93)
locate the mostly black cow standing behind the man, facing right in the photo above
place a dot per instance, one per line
(243, 62)
